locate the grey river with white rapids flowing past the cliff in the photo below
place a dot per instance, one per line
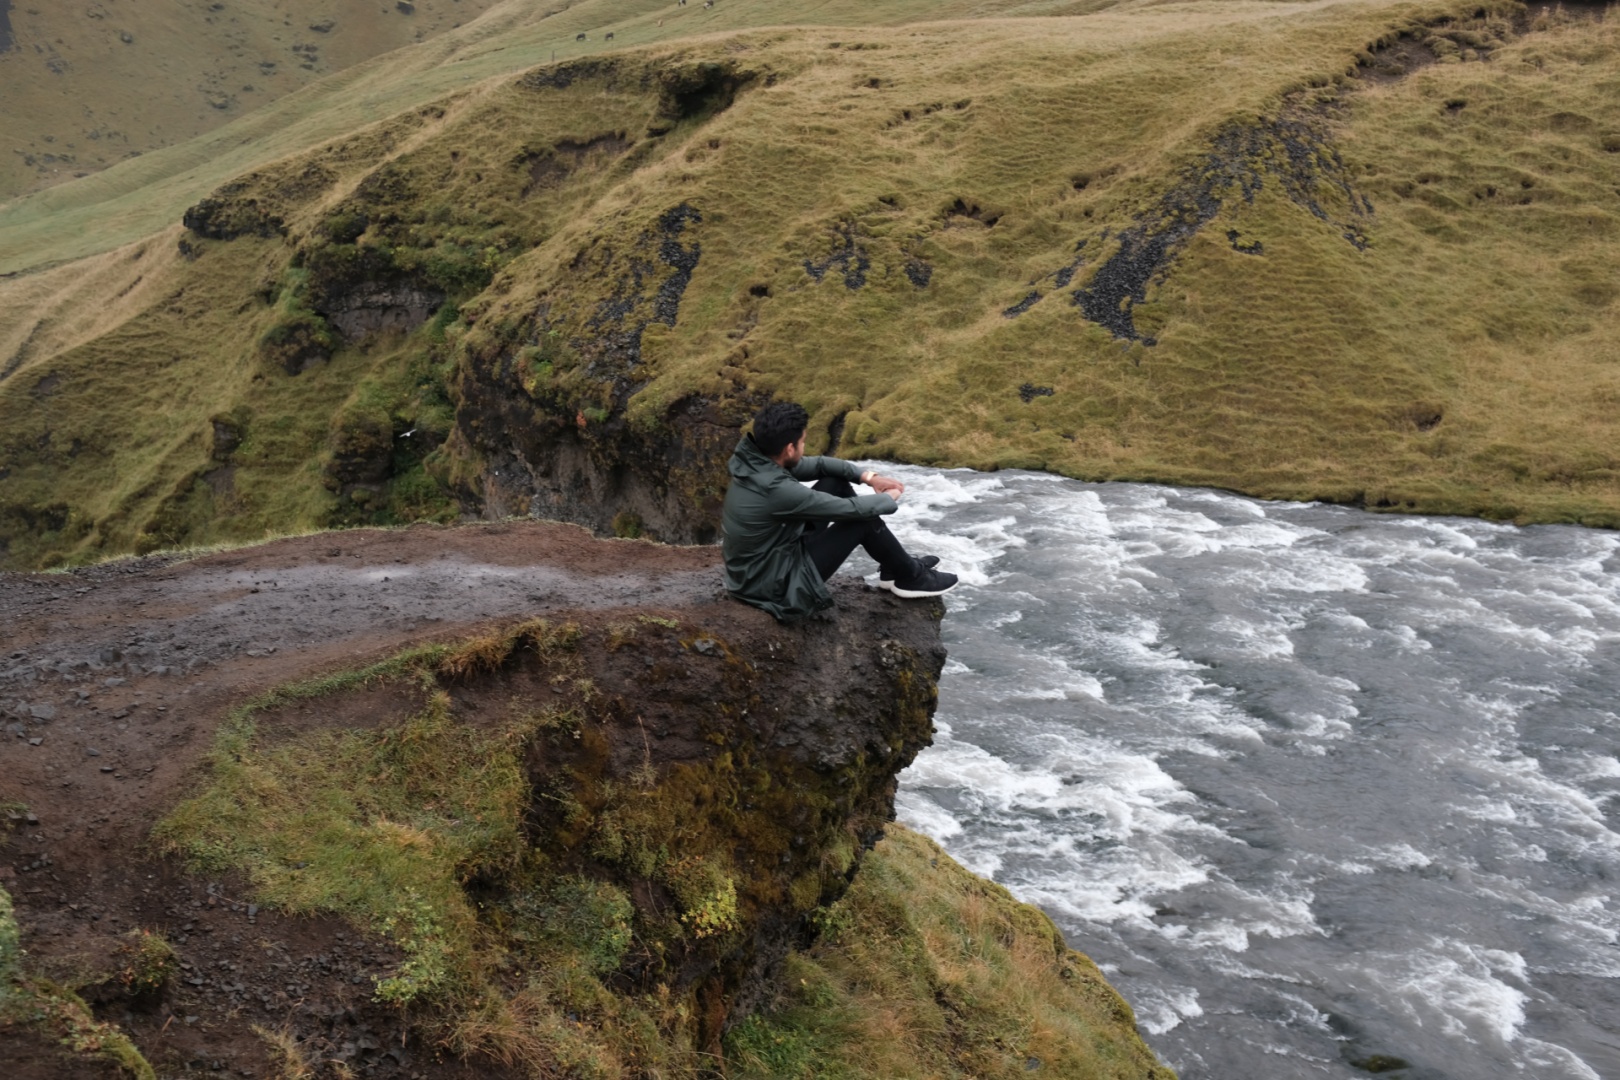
(1313, 786)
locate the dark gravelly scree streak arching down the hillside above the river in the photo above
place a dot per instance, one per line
(1294, 151)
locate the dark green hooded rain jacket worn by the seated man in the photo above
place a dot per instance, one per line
(765, 517)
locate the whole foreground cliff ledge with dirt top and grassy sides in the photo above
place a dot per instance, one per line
(500, 801)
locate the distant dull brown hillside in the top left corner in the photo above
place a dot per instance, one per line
(88, 85)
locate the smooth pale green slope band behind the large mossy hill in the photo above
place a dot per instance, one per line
(137, 198)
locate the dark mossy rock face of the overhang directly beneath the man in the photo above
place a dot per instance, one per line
(777, 754)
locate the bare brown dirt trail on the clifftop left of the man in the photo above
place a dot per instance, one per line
(113, 681)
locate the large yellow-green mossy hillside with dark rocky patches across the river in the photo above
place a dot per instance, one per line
(1362, 252)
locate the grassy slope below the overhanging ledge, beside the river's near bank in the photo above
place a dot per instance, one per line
(926, 971)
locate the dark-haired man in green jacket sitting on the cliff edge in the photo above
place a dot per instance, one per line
(783, 540)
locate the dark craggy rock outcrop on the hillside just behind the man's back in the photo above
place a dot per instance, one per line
(565, 448)
